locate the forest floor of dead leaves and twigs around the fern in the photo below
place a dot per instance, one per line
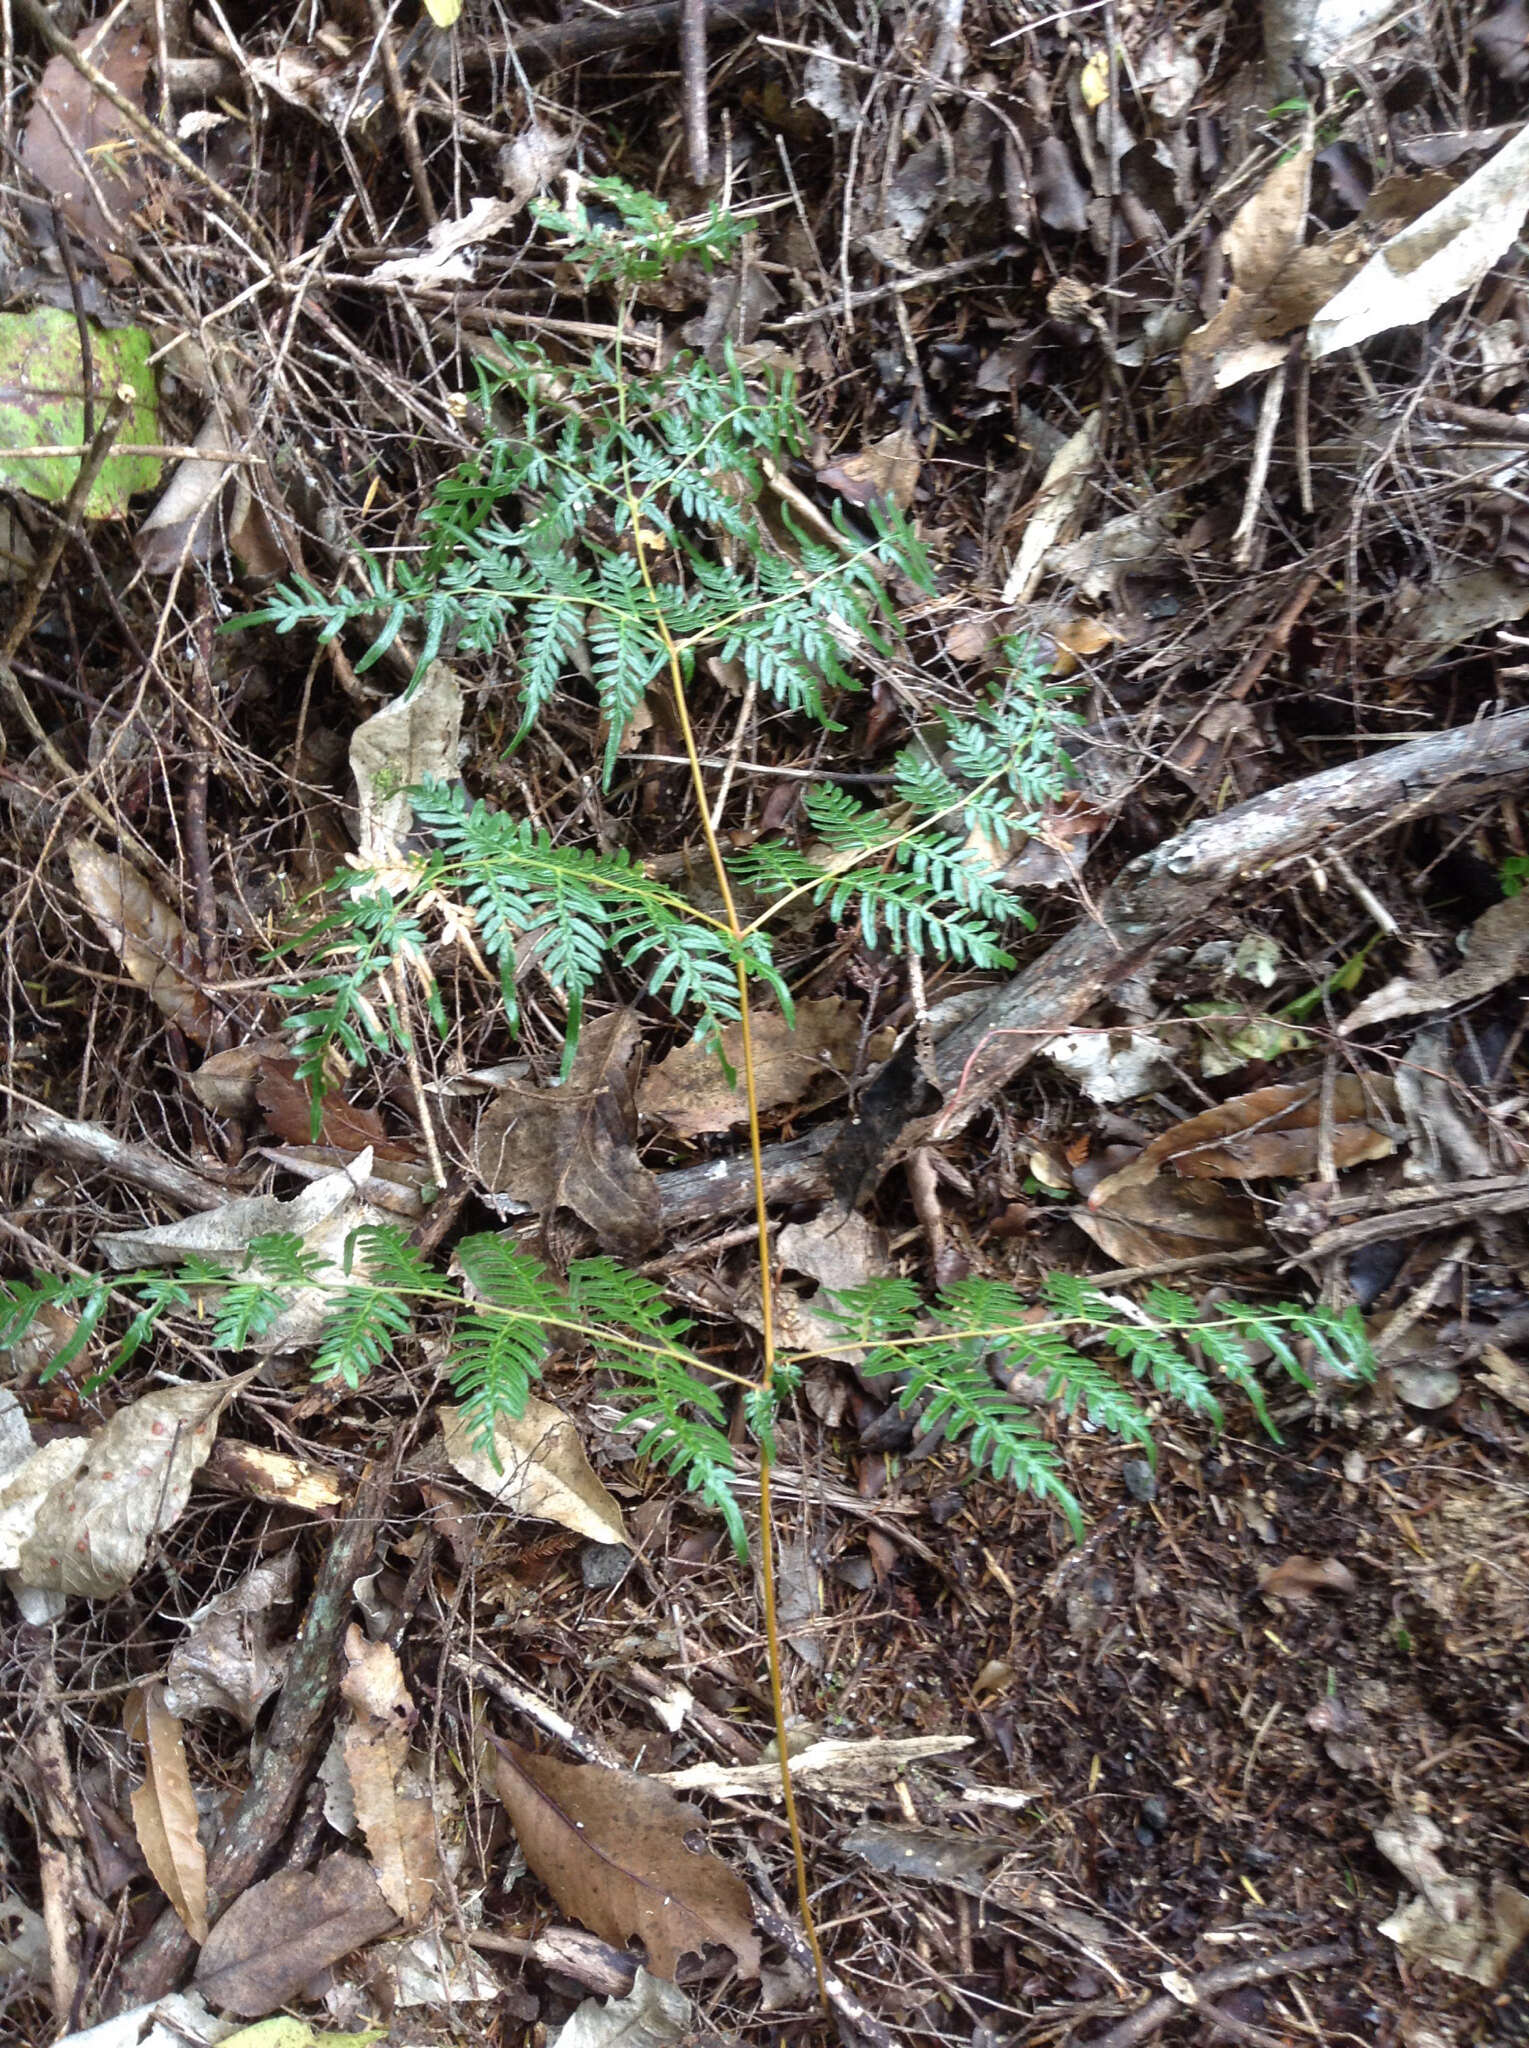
(1098, 300)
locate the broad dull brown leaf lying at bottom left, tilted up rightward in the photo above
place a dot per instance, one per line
(277, 1936)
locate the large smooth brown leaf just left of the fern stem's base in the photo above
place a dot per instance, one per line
(611, 1848)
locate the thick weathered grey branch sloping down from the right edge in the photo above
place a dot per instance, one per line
(1166, 892)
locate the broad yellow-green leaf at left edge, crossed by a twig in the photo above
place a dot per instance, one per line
(42, 407)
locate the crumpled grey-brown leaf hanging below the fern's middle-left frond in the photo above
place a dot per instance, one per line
(574, 1146)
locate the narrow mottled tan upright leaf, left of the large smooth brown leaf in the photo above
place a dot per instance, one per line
(398, 1822)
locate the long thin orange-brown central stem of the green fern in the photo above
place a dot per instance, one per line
(775, 1658)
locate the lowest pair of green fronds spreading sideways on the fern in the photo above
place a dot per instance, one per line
(509, 1314)
